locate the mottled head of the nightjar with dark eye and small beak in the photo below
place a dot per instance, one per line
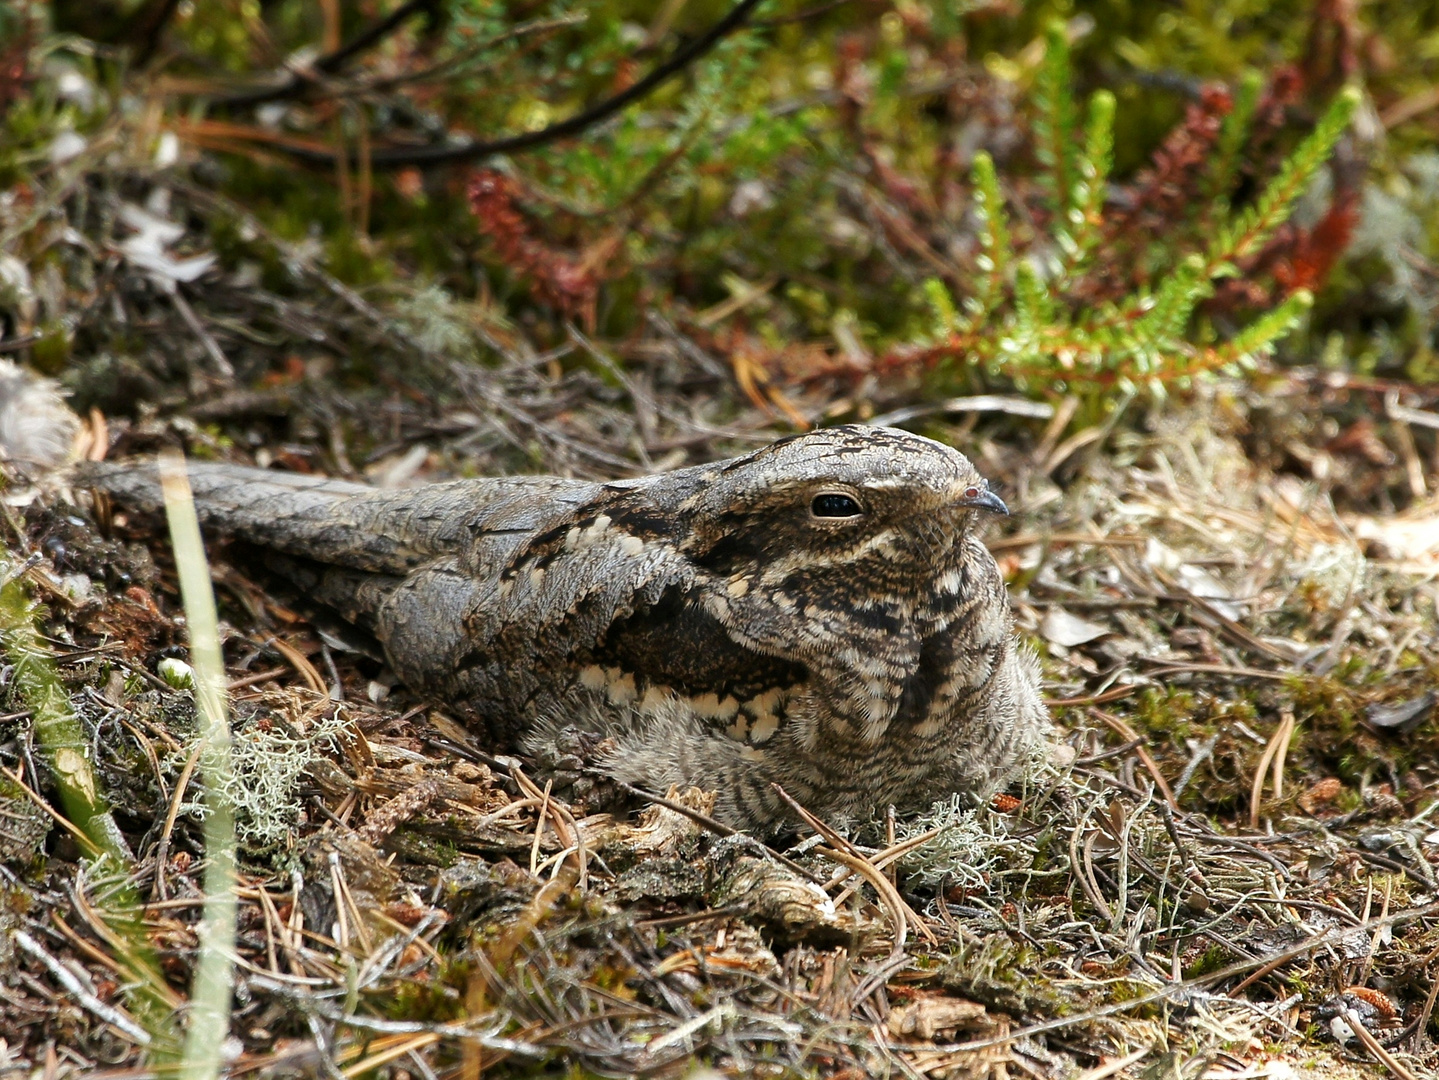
(844, 550)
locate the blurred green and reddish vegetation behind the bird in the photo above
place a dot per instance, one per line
(845, 208)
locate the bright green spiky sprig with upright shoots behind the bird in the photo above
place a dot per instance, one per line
(1030, 320)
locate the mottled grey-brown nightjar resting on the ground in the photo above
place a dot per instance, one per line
(817, 615)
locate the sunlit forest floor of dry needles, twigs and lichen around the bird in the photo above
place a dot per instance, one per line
(1228, 869)
